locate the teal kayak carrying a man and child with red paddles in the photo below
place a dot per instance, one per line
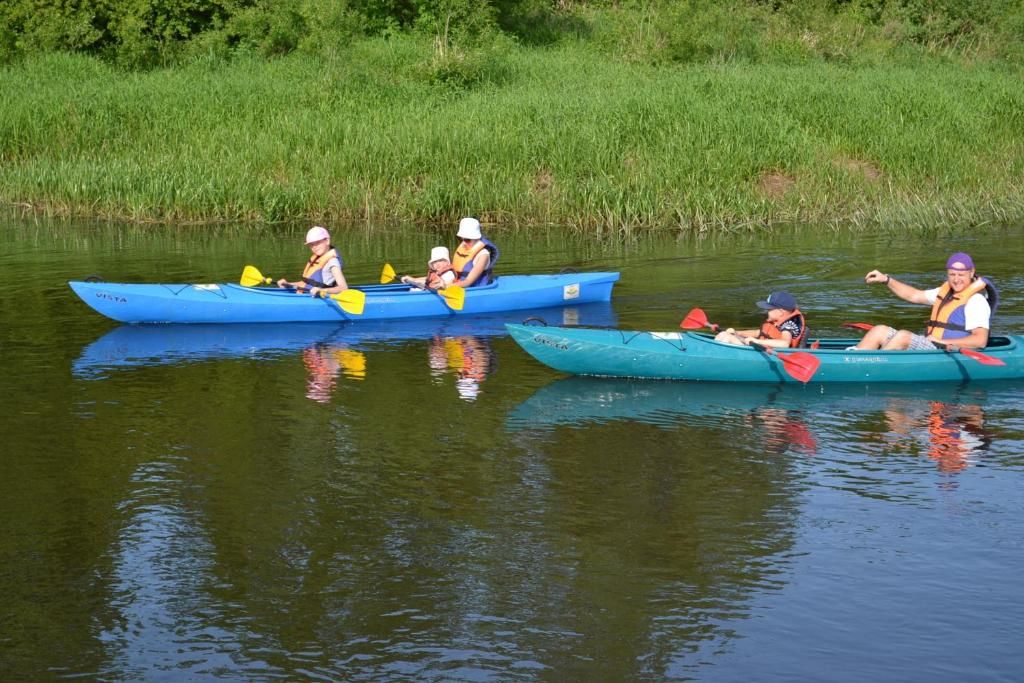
(697, 357)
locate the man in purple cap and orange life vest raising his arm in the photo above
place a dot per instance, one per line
(962, 309)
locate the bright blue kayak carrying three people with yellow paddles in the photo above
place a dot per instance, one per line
(235, 304)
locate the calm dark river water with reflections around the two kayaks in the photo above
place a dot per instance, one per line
(320, 503)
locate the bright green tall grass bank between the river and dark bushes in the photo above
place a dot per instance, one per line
(381, 133)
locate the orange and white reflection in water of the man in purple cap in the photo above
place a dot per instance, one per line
(955, 434)
